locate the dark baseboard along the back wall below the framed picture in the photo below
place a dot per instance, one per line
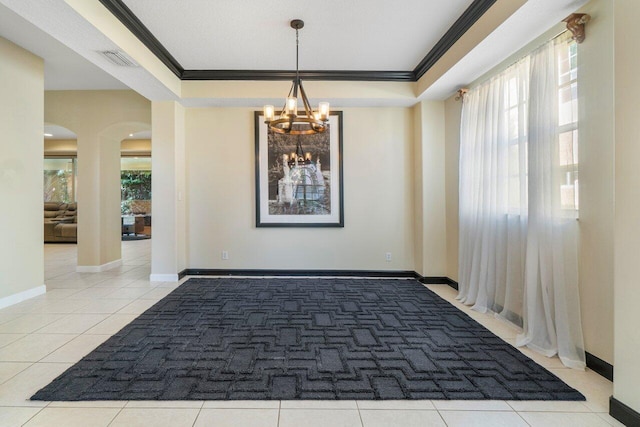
(268, 272)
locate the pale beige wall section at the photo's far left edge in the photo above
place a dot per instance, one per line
(21, 121)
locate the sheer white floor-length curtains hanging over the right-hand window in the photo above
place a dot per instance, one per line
(518, 243)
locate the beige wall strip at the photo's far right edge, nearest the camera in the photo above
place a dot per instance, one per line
(626, 385)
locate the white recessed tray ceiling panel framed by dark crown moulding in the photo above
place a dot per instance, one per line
(338, 35)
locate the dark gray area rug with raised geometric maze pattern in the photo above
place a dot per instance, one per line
(232, 338)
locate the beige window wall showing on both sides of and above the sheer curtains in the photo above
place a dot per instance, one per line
(596, 177)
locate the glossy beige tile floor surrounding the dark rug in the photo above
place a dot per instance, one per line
(42, 337)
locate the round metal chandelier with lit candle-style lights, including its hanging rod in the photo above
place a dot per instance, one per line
(289, 121)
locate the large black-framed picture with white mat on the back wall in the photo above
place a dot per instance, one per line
(299, 177)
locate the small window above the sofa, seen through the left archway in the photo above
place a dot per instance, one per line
(60, 179)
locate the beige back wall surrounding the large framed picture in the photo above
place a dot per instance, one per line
(378, 192)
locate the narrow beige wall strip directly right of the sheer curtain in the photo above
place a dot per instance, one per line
(596, 156)
